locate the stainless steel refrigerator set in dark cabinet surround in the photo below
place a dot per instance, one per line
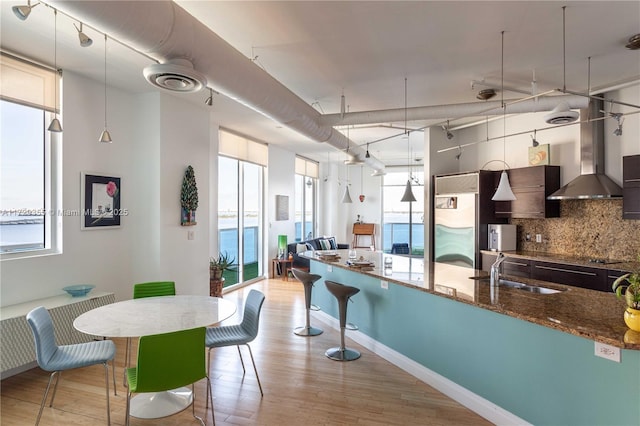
(462, 211)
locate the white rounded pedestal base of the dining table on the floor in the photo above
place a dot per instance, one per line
(154, 405)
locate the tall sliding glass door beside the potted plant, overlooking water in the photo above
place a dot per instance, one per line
(240, 221)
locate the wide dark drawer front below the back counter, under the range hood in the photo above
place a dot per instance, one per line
(579, 276)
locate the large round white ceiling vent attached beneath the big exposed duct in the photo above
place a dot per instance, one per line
(175, 75)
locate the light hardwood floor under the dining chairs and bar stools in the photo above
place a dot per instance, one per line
(301, 386)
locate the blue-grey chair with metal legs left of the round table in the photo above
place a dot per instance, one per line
(54, 358)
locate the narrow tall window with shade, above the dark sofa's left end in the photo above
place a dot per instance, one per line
(306, 182)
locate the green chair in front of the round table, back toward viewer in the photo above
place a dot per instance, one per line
(169, 361)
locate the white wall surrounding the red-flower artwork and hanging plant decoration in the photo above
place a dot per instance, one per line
(154, 138)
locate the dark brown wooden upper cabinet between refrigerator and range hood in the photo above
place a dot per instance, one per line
(531, 186)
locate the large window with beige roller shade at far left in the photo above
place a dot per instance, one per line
(29, 161)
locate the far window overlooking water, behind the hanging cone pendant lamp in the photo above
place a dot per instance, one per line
(403, 223)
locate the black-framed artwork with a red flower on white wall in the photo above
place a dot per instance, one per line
(100, 197)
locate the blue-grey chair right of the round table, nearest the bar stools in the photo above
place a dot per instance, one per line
(239, 334)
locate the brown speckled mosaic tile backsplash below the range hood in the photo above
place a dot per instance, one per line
(585, 228)
